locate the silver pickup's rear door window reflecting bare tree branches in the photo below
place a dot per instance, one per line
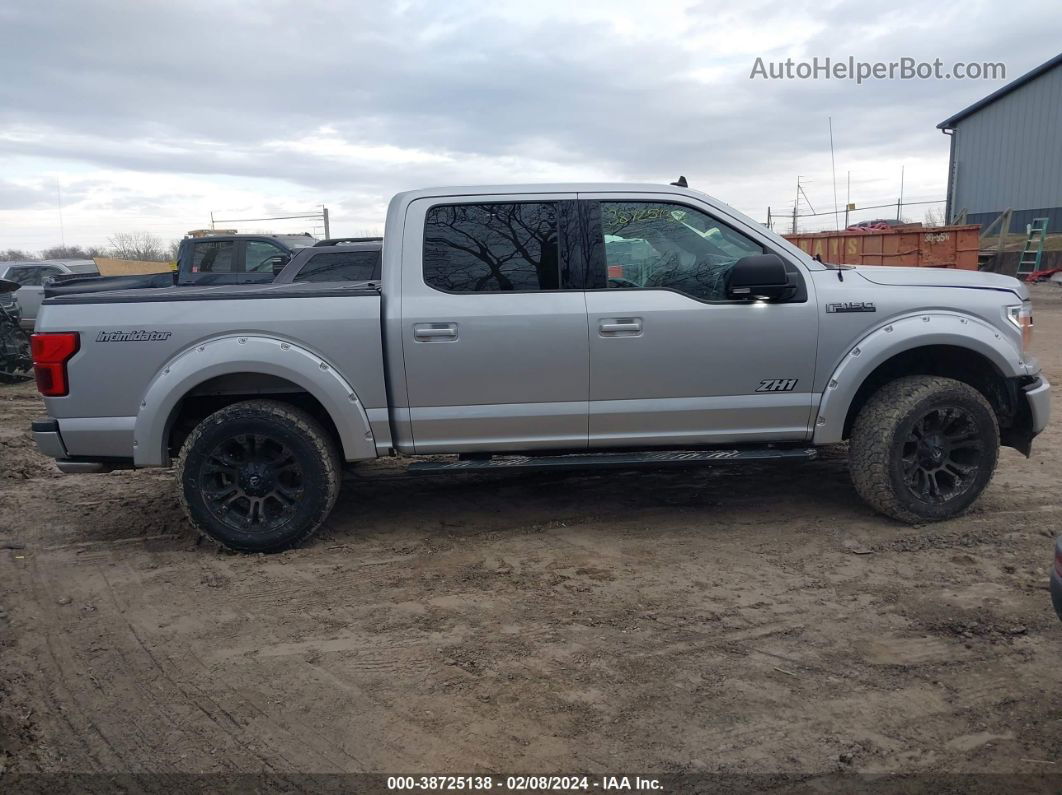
(492, 248)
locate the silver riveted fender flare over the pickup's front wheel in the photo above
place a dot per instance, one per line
(953, 347)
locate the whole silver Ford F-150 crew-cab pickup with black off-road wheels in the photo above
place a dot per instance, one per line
(544, 326)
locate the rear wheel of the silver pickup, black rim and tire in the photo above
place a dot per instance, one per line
(259, 476)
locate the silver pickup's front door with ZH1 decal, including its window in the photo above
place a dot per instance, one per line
(674, 361)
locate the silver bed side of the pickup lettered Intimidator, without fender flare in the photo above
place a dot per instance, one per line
(128, 338)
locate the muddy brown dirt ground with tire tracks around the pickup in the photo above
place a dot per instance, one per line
(736, 620)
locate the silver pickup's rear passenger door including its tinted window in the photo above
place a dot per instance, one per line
(494, 325)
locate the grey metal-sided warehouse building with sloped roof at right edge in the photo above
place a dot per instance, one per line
(1007, 152)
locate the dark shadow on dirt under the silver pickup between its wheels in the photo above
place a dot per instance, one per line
(379, 502)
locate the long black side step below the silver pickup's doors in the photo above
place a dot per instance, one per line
(622, 461)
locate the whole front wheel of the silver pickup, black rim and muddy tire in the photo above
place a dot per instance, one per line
(923, 448)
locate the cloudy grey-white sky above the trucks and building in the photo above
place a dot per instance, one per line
(149, 116)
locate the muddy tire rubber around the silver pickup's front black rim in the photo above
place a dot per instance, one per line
(883, 434)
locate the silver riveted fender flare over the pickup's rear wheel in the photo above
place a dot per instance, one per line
(228, 370)
